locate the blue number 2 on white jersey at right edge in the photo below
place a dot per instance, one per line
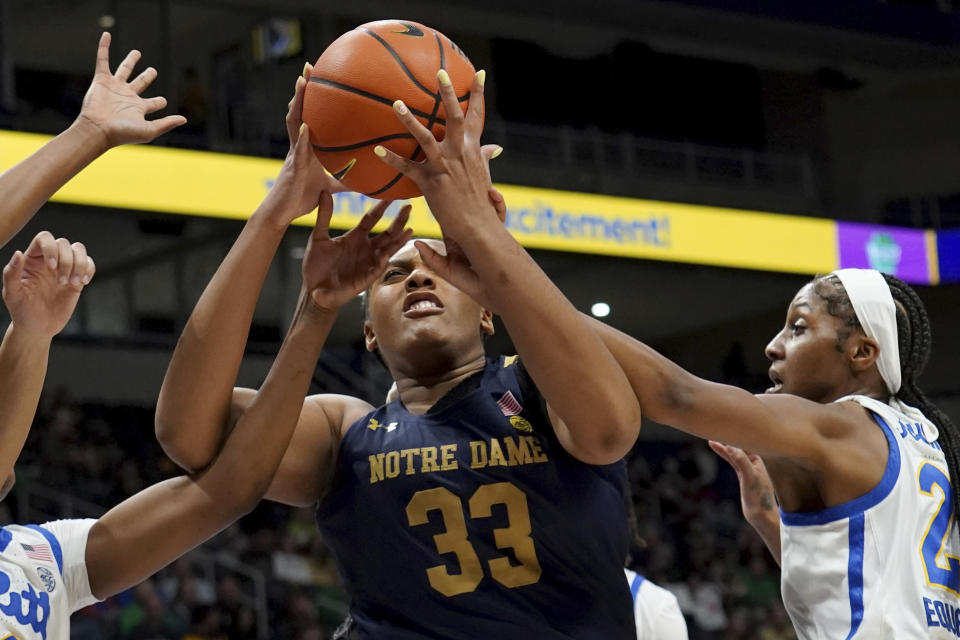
(931, 550)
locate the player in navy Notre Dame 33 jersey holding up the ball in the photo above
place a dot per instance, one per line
(487, 500)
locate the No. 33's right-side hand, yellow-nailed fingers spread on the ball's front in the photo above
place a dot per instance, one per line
(455, 177)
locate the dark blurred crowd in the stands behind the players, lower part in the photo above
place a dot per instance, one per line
(80, 456)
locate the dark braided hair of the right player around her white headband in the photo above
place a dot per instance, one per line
(915, 339)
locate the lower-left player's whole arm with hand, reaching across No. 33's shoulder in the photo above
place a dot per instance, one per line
(151, 529)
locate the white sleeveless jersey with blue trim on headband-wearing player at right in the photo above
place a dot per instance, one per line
(884, 565)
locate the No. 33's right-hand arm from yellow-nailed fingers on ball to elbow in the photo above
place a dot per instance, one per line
(593, 409)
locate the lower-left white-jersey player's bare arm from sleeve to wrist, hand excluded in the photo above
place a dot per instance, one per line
(146, 532)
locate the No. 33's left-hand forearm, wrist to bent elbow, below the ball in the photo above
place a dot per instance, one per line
(193, 409)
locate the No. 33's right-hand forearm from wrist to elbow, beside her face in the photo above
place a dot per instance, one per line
(581, 381)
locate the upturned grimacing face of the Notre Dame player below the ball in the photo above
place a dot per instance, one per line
(413, 313)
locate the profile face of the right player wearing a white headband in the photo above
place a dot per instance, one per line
(804, 357)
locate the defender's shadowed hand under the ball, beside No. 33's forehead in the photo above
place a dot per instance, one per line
(336, 270)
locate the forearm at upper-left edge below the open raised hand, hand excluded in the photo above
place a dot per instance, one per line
(26, 186)
